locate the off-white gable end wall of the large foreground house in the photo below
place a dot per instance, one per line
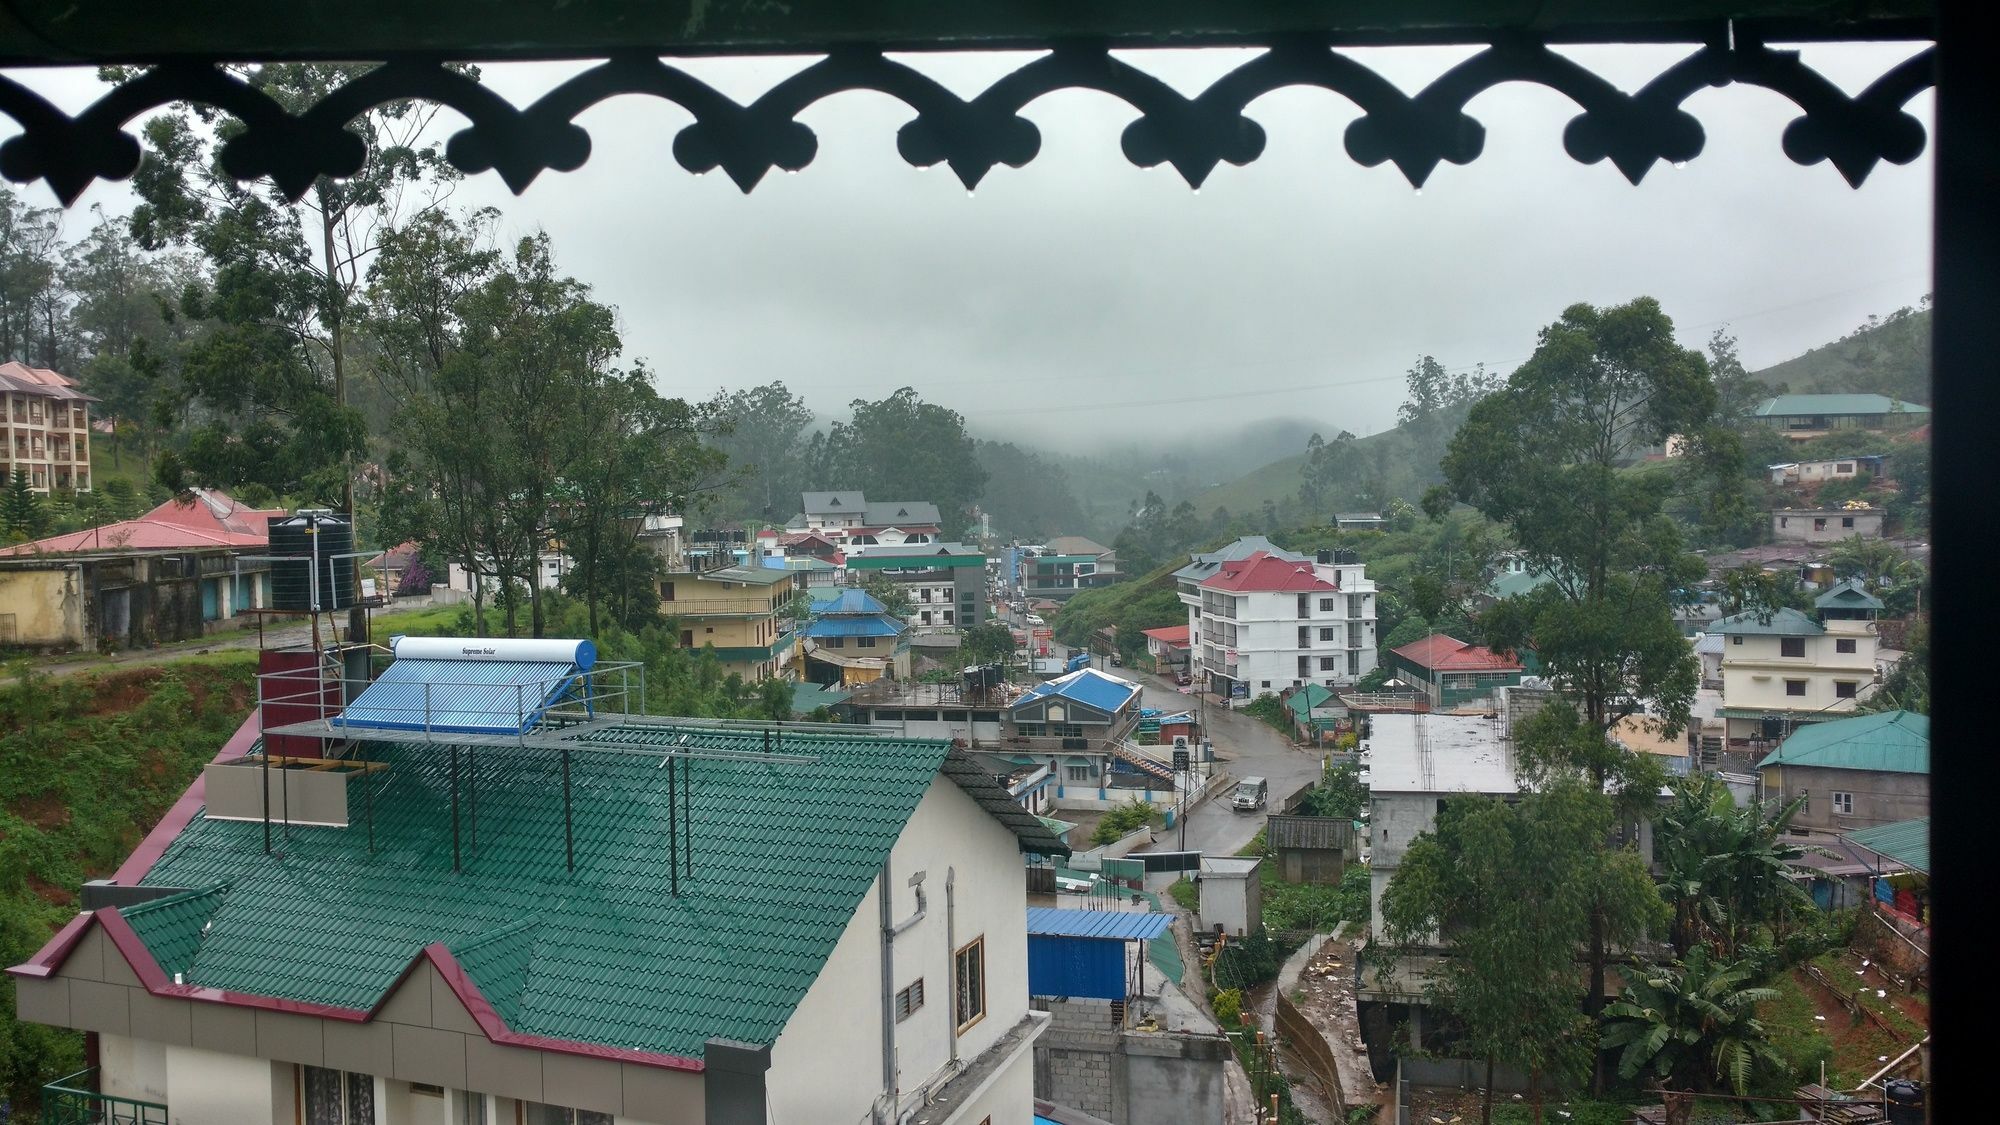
(827, 1066)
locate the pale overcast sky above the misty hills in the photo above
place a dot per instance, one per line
(1083, 301)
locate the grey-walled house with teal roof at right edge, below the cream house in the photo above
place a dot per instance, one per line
(1853, 774)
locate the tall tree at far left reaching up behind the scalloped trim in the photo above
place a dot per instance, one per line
(269, 385)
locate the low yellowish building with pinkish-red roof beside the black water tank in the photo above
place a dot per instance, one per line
(173, 574)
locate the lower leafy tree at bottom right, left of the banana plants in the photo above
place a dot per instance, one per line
(1513, 890)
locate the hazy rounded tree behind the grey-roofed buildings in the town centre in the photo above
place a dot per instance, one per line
(907, 449)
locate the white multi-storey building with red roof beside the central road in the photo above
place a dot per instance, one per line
(1267, 620)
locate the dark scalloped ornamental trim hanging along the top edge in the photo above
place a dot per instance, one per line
(971, 137)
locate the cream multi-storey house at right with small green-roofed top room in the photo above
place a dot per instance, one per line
(1783, 670)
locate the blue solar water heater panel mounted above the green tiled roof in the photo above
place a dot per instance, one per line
(461, 698)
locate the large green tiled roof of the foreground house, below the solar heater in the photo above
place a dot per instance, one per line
(783, 856)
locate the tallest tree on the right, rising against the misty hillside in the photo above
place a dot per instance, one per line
(1545, 457)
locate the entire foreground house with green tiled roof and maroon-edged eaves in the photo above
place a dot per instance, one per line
(839, 936)
